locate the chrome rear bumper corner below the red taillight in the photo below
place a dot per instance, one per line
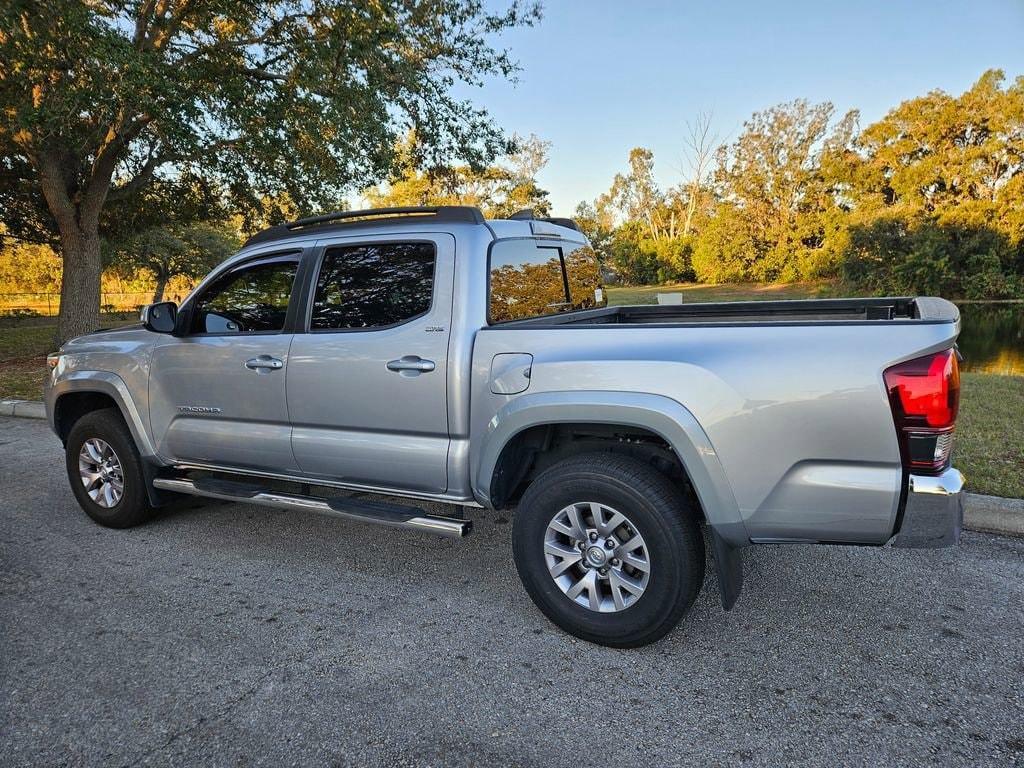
(933, 517)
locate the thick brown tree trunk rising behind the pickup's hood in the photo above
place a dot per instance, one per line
(80, 287)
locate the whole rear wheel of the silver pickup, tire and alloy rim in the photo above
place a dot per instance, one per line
(609, 549)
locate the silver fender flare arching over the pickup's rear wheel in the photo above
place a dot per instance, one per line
(658, 414)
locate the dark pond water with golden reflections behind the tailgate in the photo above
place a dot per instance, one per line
(992, 338)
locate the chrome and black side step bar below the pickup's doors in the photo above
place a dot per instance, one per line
(396, 516)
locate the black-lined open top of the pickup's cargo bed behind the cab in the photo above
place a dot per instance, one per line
(901, 310)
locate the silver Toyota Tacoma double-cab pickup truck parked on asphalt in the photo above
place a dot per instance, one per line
(429, 354)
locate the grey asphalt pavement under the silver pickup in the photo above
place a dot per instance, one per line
(230, 635)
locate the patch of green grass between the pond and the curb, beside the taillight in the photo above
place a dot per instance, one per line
(990, 447)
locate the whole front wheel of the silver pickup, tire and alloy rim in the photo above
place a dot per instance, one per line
(106, 472)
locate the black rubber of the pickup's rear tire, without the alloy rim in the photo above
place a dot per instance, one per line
(656, 508)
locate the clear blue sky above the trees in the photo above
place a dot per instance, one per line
(601, 78)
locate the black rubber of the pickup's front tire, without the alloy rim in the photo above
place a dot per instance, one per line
(134, 506)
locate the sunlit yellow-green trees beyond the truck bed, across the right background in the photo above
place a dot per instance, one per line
(928, 200)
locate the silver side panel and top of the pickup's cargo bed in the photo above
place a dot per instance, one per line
(789, 397)
